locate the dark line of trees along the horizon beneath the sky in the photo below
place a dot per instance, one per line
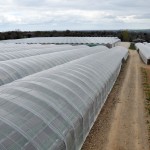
(124, 35)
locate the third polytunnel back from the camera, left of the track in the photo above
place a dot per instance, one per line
(33, 52)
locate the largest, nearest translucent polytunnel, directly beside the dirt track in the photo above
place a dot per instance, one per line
(56, 108)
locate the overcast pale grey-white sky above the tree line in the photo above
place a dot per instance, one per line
(74, 14)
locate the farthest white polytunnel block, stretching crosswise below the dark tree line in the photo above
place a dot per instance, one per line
(68, 40)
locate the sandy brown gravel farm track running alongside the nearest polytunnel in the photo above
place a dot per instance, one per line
(121, 125)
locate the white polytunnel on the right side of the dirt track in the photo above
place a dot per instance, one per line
(144, 52)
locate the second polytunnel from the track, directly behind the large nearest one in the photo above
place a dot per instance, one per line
(18, 68)
